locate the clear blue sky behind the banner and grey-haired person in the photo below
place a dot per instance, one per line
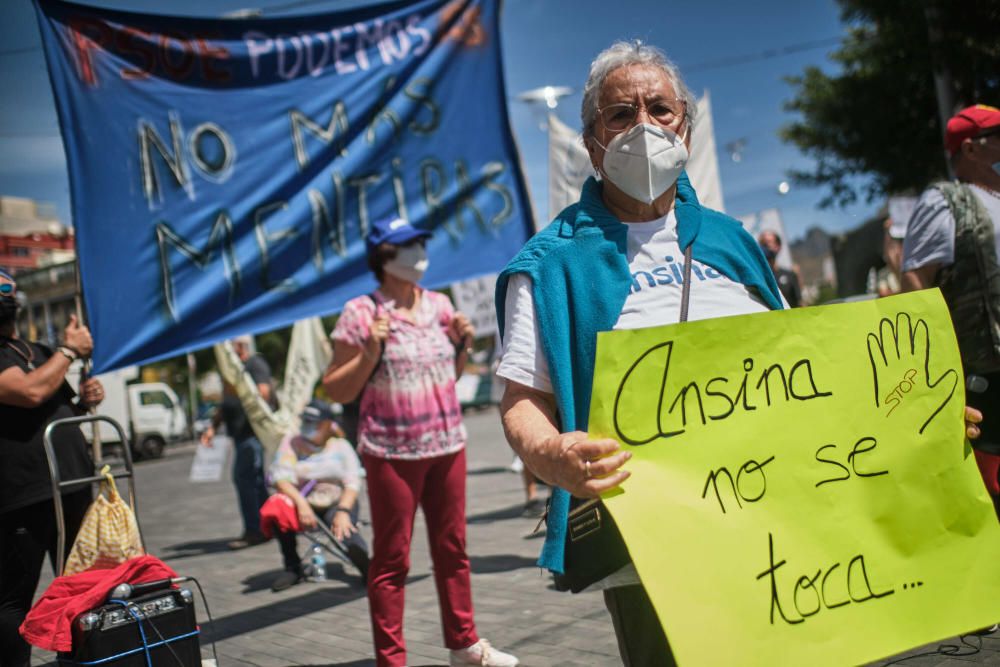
(545, 42)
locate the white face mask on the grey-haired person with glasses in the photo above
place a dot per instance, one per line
(645, 161)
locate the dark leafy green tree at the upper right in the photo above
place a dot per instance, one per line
(876, 118)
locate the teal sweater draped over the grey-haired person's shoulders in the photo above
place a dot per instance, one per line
(580, 277)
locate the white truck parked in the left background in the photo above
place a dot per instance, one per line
(150, 412)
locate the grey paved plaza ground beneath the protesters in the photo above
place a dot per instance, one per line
(187, 525)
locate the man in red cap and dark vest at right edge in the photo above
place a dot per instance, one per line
(953, 242)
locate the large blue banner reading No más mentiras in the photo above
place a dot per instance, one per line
(224, 173)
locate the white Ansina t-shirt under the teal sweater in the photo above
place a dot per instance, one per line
(656, 263)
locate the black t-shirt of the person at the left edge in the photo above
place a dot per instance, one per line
(24, 473)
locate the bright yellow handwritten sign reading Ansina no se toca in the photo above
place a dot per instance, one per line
(801, 490)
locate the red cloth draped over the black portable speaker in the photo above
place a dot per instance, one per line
(49, 623)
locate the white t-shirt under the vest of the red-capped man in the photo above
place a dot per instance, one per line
(930, 233)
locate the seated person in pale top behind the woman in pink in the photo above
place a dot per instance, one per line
(318, 470)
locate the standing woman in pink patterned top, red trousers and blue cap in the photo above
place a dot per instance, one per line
(401, 349)
